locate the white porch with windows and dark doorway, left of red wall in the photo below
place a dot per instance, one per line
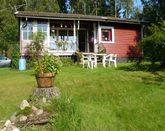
(62, 37)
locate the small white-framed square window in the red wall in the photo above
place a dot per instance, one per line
(106, 34)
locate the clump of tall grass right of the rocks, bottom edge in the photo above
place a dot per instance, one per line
(66, 116)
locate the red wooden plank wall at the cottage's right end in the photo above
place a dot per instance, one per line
(126, 38)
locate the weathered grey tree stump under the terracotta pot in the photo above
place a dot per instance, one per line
(47, 92)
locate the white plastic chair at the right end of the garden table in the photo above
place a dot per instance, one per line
(111, 58)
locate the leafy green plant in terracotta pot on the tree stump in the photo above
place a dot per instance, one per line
(46, 68)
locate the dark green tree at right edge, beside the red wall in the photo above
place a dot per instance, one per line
(154, 43)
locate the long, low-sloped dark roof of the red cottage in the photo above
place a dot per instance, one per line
(62, 16)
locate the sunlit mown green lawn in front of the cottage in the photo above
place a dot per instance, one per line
(109, 98)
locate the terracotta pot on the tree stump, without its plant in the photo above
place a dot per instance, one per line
(45, 80)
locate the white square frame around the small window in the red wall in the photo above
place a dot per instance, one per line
(100, 34)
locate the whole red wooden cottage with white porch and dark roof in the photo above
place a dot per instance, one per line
(66, 33)
